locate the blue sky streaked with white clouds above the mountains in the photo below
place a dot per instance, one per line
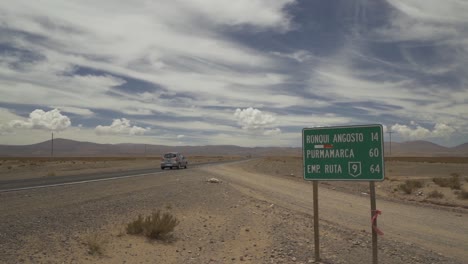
(248, 73)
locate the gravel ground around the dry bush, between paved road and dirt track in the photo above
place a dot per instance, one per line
(218, 224)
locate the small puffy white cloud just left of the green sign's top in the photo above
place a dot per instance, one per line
(254, 120)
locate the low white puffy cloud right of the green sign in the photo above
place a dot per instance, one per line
(418, 132)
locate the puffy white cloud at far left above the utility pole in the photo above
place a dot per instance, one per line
(52, 120)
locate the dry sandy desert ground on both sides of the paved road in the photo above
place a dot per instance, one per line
(260, 211)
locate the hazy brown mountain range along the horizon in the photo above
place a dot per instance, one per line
(71, 148)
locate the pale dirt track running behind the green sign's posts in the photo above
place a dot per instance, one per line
(440, 231)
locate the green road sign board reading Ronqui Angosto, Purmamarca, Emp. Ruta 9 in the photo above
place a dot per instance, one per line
(343, 153)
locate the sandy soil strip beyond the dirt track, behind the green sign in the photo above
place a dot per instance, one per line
(396, 173)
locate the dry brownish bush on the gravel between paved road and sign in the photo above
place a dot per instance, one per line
(155, 226)
